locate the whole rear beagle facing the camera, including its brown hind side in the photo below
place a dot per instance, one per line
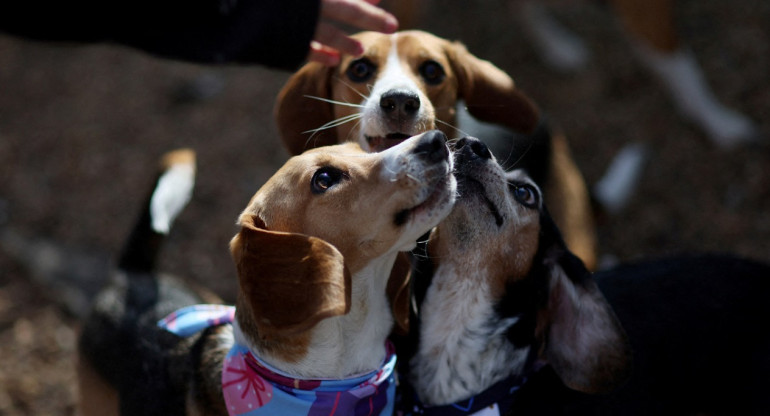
(413, 81)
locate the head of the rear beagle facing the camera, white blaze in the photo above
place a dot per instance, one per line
(404, 84)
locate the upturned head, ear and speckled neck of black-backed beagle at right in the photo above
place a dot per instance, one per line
(505, 296)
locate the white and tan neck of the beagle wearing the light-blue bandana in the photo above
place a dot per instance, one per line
(340, 346)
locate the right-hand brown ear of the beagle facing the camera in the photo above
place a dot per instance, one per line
(489, 93)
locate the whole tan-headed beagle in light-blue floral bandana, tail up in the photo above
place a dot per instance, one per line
(314, 254)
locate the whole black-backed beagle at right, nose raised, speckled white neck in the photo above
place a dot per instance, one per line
(511, 322)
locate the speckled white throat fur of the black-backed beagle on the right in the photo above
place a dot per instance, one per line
(463, 347)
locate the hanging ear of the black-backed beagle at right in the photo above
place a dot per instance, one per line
(585, 343)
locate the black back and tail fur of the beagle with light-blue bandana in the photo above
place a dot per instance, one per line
(149, 367)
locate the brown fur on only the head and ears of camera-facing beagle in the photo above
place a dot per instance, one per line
(489, 93)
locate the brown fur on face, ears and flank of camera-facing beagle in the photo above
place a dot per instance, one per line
(489, 94)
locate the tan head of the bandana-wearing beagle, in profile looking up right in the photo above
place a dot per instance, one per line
(325, 216)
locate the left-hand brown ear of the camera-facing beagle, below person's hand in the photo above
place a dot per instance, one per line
(296, 113)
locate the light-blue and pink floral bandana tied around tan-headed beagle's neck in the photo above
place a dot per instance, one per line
(251, 388)
